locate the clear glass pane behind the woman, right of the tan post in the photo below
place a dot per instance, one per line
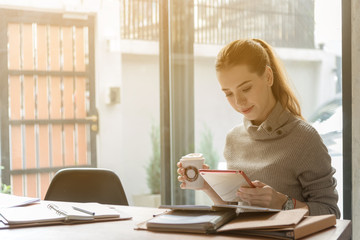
(303, 37)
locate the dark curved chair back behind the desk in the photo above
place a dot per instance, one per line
(87, 185)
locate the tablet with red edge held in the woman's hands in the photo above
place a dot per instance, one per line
(226, 182)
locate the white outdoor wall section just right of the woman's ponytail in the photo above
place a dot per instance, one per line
(311, 72)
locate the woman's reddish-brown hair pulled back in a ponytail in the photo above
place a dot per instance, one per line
(257, 54)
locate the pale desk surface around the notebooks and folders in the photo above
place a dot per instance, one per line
(125, 230)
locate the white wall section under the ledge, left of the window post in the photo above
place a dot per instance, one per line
(141, 104)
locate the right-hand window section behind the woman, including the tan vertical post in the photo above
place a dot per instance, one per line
(303, 37)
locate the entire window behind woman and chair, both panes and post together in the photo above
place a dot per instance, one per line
(152, 67)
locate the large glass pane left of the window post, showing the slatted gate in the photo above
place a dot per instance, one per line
(121, 51)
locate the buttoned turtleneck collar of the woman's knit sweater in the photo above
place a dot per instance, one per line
(273, 127)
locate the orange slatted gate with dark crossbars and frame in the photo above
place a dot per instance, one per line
(47, 98)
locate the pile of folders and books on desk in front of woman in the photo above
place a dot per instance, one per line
(276, 224)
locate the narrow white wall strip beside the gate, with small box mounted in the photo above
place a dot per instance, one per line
(108, 73)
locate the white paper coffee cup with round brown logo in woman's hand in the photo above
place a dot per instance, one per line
(192, 163)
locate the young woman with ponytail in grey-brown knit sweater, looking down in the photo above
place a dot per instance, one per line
(275, 147)
